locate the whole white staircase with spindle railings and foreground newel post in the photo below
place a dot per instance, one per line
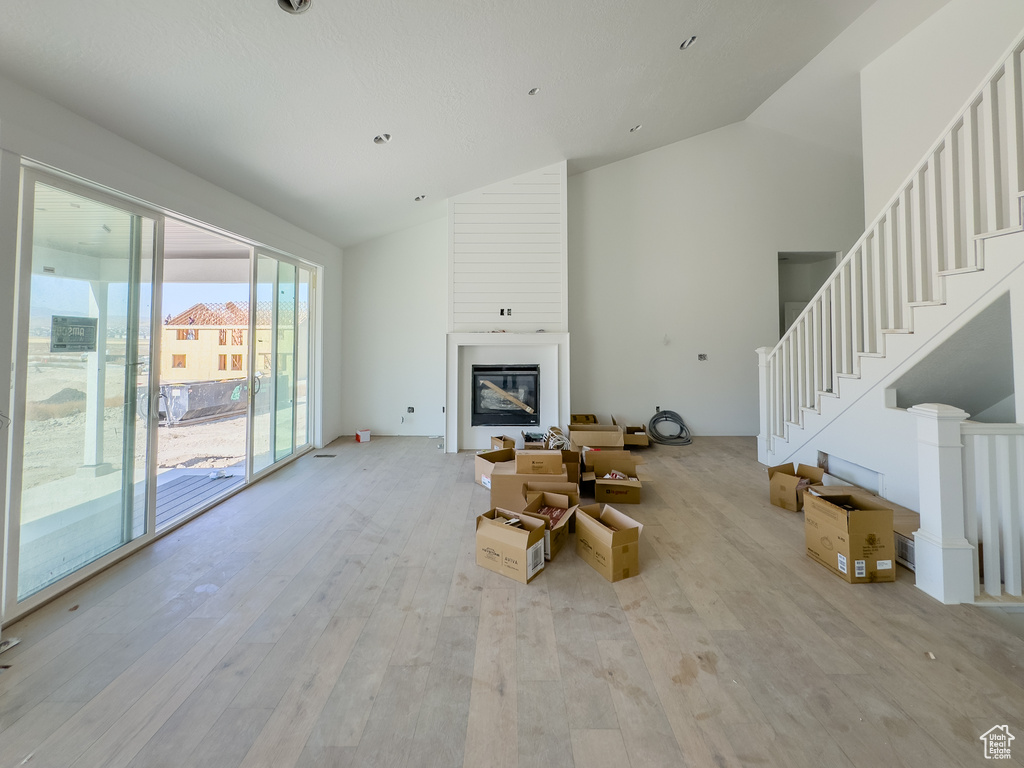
(921, 268)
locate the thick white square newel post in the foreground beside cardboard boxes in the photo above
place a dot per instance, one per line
(944, 558)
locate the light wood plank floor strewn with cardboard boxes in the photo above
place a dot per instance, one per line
(333, 616)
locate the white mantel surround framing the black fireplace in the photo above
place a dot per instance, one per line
(458, 377)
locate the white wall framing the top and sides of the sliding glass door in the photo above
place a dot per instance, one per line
(39, 130)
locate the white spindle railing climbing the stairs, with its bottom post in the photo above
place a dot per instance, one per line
(966, 189)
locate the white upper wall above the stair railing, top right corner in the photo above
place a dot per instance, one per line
(911, 94)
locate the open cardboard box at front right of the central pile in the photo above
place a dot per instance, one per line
(609, 541)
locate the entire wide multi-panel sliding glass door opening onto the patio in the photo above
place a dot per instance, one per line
(158, 367)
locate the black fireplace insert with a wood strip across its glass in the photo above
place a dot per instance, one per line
(506, 396)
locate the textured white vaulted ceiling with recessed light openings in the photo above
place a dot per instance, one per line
(282, 110)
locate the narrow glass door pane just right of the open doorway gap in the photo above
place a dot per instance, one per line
(265, 343)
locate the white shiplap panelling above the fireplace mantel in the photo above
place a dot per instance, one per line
(507, 250)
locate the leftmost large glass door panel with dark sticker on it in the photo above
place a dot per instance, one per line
(81, 487)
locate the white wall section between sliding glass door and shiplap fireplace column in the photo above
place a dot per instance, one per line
(394, 332)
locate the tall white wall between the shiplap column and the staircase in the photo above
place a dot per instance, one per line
(674, 253)
